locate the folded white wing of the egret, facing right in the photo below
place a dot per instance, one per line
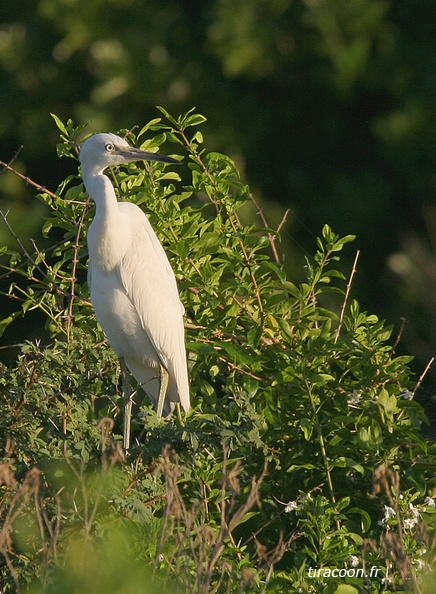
(150, 283)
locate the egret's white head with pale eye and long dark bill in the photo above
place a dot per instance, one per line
(103, 150)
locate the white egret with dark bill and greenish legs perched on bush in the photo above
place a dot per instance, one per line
(133, 287)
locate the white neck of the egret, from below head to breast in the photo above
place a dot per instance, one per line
(107, 236)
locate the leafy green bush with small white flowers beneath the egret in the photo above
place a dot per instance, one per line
(302, 455)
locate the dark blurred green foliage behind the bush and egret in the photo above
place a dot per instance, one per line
(327, 106)
